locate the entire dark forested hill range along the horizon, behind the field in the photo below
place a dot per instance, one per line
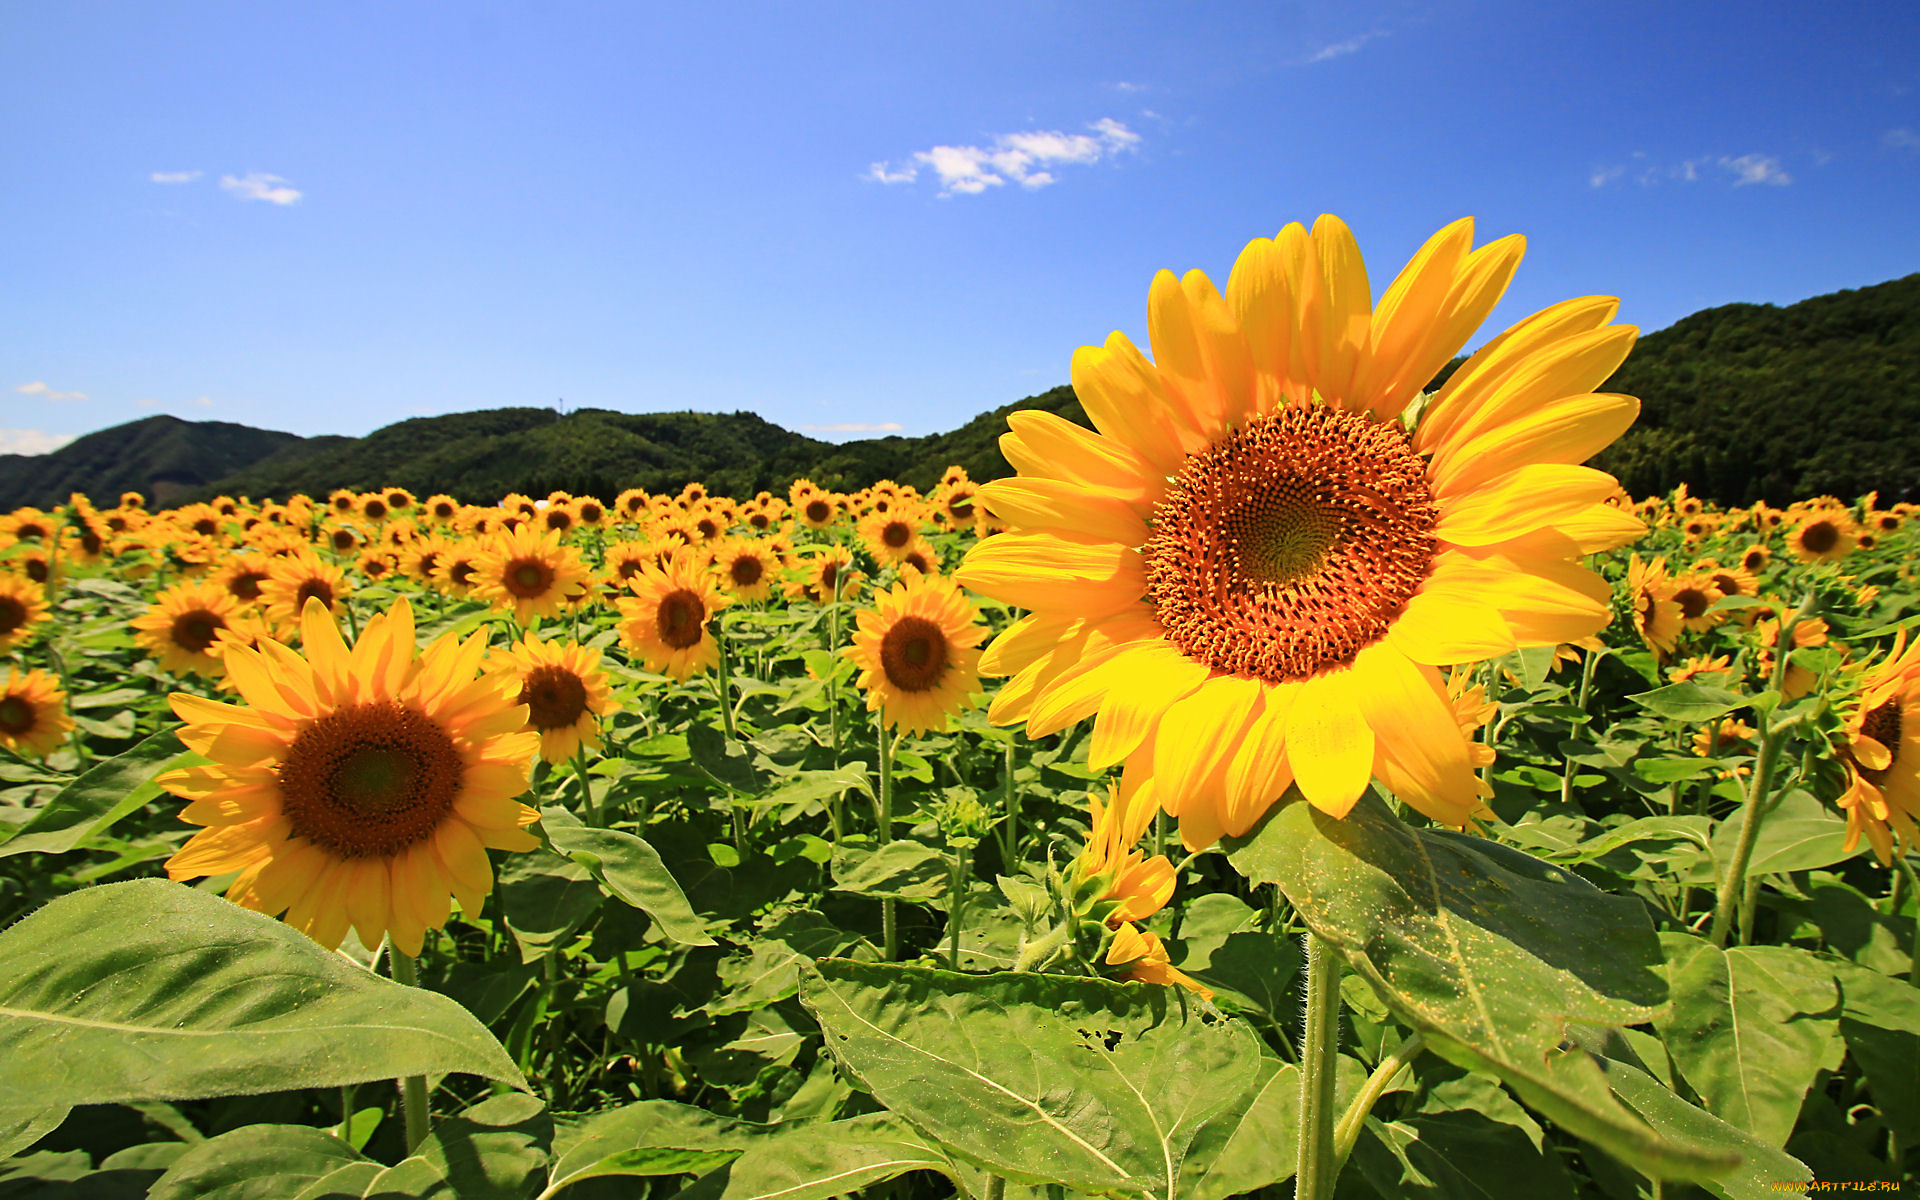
(1742, 402)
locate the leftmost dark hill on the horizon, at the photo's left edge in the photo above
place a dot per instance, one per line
(160, 458)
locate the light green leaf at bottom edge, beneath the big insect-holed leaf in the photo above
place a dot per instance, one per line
(821, 1161)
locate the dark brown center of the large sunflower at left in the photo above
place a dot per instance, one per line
(370, 780)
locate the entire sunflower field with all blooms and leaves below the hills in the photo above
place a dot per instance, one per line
(1301, 784)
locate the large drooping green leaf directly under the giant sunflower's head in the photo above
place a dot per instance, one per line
(1489, 951)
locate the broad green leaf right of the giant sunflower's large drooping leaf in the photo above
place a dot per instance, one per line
(1750, 1028)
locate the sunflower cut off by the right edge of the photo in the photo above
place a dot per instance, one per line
(1883, 756)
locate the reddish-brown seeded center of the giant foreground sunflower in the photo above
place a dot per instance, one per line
(1291, 544)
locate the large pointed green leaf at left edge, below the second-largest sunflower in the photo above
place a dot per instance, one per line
(153, 992)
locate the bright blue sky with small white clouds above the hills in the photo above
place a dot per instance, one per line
(850, 218)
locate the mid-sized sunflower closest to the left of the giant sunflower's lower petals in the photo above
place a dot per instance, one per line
(919, 654)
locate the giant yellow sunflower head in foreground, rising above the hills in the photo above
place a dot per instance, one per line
(1255, 569)
